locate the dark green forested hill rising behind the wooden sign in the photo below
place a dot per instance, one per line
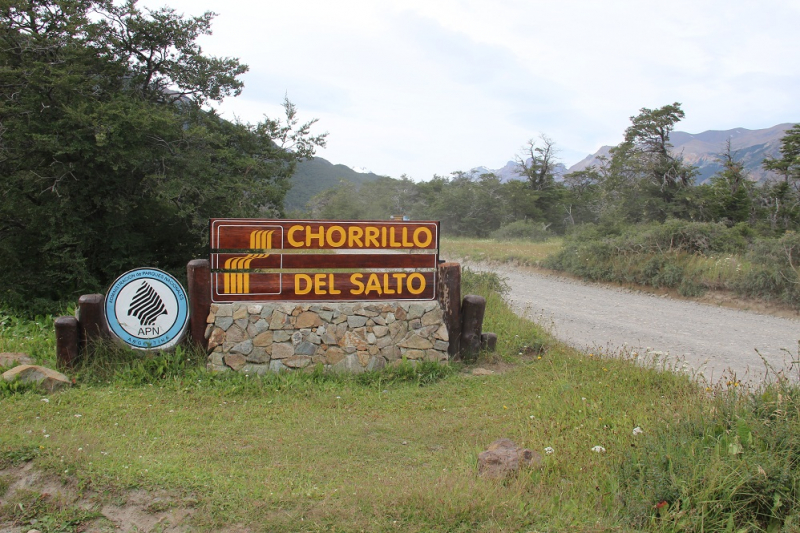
(315, 175)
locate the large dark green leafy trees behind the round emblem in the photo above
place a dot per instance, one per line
(108, 158)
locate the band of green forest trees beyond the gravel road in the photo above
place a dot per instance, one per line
(642, 181)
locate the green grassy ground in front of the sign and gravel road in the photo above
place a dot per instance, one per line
(397, 451)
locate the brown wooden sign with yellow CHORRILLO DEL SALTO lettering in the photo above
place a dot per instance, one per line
(260, 260)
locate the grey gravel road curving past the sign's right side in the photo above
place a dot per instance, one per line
(710, 339)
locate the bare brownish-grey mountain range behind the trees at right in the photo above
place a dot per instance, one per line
(750, 147)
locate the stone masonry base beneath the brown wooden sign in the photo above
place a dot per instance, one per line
(347, 337)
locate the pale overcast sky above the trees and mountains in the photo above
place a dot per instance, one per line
(423, 87)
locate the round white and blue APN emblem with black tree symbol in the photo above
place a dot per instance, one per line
(147, 309)
